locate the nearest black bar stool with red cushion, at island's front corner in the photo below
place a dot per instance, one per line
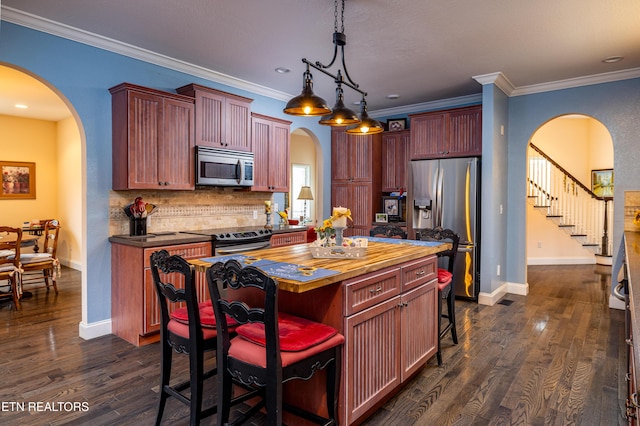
(270, 348)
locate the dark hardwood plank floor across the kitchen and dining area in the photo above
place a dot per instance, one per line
(555, 357)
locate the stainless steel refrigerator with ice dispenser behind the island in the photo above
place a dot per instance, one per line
(446, 193)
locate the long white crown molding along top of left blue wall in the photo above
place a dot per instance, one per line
(48, 26)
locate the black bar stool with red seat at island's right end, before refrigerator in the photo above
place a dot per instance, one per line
(445, 282)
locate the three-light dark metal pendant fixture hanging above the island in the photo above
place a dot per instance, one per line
(307, 103)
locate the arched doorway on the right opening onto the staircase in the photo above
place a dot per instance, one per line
(565, 224)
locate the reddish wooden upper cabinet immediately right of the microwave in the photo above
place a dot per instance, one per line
(271, 138)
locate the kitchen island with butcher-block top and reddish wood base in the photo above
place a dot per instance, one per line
(385, 304)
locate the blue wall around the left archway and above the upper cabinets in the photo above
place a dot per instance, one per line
(83, 75)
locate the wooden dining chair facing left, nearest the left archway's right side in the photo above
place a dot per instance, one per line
(44, 265)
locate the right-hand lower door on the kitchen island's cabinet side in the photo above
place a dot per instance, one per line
(419, 340)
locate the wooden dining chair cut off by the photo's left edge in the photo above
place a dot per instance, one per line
(10, 263)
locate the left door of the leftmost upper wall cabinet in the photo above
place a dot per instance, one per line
(145, 116)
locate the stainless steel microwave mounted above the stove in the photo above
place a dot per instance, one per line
(223, 167)
